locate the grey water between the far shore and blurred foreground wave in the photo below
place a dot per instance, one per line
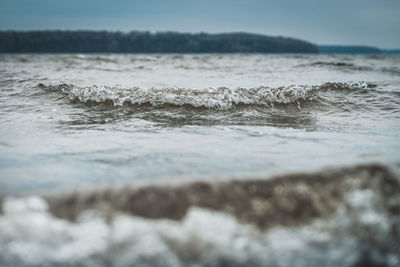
(69, 121)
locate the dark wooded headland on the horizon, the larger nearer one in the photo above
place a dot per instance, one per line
(146, 42)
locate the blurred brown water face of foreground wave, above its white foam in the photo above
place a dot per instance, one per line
(286, 200)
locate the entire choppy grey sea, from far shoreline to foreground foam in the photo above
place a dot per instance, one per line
(199, 160)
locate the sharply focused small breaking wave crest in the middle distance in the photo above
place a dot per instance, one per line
(221, 98)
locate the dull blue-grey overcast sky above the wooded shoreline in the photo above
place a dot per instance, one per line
(338, 22)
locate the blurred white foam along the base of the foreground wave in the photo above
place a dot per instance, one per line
(31, 236)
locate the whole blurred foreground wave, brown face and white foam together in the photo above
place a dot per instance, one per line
(337, 217)
